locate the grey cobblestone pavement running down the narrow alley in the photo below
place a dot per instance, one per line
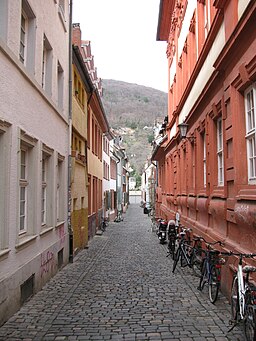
(122, 288)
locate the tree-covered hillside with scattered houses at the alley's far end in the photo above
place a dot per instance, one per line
(131, 110)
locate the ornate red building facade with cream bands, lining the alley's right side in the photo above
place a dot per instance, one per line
(209, 177)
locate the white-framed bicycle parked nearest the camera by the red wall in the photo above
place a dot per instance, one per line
(243, 297)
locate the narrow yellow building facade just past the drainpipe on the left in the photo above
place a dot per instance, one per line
(82, 88)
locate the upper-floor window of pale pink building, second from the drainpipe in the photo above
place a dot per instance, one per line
(47, 66)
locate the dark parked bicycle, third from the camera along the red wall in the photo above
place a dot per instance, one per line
(186, 253)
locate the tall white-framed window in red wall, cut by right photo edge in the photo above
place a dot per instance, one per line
(250, 97)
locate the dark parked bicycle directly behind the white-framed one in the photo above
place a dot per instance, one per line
(211, 270)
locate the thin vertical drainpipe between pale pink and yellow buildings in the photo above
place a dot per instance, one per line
(70, 230)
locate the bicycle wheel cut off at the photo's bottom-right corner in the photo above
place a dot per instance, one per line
(249, 318)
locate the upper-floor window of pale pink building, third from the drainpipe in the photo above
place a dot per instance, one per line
(27, 36)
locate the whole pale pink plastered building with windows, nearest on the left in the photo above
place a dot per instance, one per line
(34, 145)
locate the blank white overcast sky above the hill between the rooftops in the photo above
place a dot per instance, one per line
(123, 40)
